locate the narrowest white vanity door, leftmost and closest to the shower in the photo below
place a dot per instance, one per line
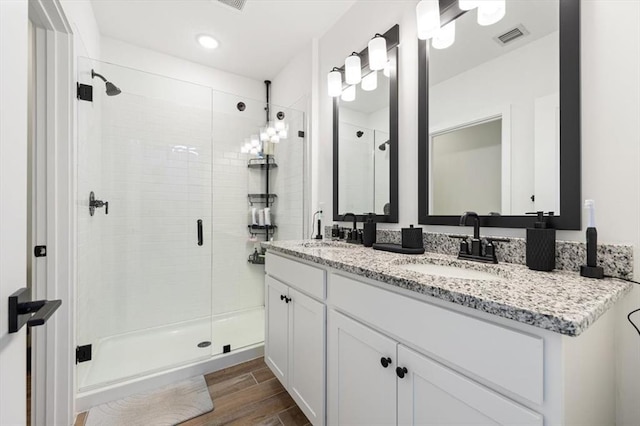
(276, 327)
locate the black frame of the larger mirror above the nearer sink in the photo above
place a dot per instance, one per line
(570, 128)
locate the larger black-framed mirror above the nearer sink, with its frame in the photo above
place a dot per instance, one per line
(499, 117)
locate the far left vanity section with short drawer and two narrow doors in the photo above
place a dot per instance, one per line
(295, 332)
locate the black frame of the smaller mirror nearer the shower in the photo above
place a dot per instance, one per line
(393, 40)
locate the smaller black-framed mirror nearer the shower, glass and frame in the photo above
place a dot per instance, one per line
(365, 143)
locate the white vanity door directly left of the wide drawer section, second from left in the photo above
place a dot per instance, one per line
(306, 355)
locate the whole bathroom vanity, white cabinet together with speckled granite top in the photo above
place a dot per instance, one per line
(366, 337)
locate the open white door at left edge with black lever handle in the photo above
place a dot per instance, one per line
(13, 202)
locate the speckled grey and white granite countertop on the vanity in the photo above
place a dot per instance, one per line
(559, 301)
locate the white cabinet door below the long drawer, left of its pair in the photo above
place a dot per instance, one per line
(360, 391)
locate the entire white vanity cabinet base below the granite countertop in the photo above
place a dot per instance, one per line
(394, 356)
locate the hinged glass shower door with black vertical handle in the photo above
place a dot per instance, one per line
(145, 238)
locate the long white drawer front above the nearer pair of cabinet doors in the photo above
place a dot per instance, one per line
(505, 357)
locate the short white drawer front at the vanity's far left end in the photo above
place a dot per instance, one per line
(298, 275)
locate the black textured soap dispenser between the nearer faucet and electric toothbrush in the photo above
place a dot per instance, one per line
(541, 245)
